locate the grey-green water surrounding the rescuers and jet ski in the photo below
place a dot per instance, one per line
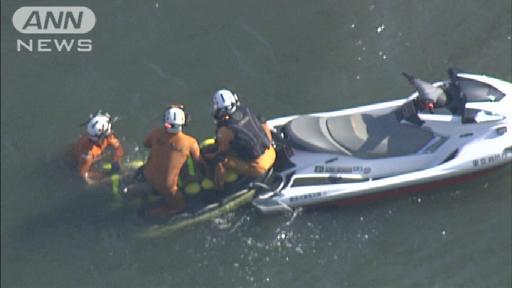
(281, 58)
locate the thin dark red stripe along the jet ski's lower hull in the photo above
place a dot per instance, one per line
(407, 190)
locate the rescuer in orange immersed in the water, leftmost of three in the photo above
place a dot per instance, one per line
(92, 146)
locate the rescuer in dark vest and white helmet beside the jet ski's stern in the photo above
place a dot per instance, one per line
(244, 141)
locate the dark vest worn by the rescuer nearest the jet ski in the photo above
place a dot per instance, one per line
(250, 140)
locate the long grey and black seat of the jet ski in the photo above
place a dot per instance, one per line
(367, 135)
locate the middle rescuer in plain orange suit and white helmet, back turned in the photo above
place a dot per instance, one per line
(170, 148)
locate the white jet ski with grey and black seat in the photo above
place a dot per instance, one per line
(443, 131)
